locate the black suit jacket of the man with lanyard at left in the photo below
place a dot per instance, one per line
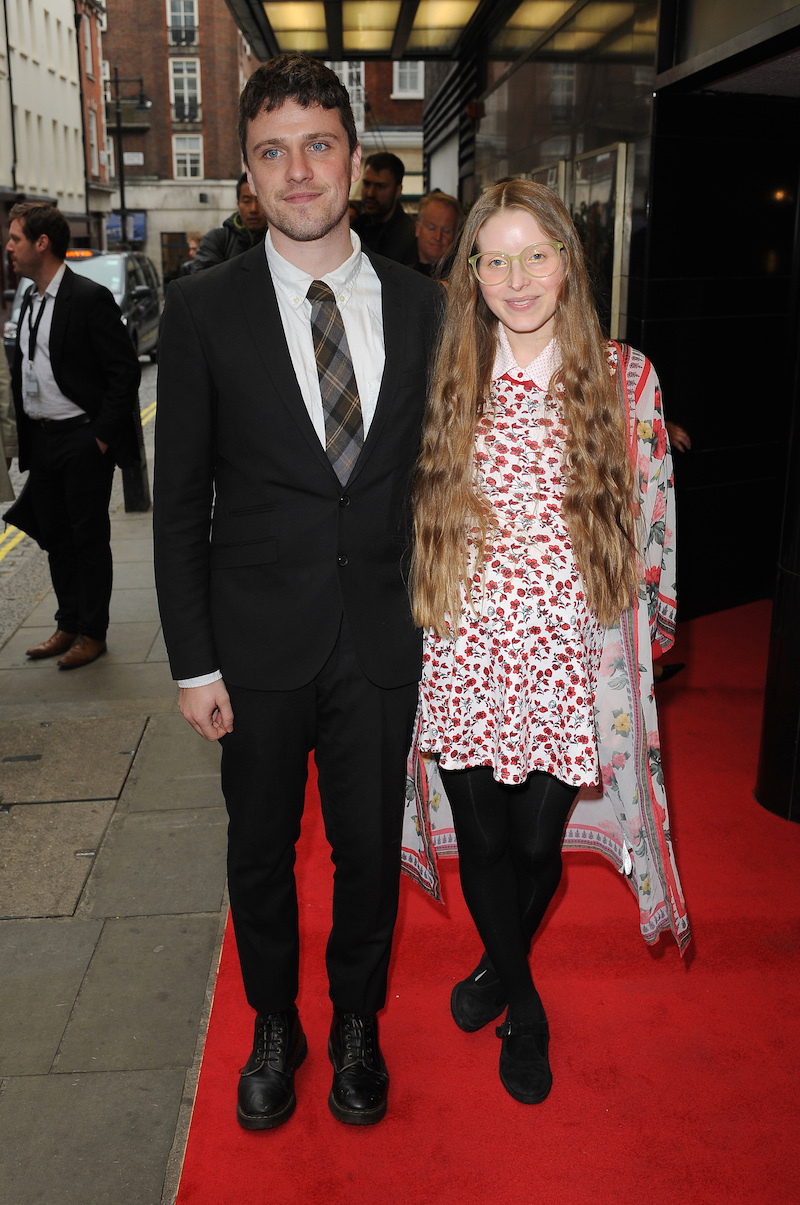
(95, 366)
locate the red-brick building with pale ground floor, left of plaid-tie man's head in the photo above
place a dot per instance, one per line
(181, 156)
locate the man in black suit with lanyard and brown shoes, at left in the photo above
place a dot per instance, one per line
(77, 387)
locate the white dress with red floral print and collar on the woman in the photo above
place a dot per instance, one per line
(515, 690)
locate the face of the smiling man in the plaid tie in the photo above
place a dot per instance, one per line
(302, 169)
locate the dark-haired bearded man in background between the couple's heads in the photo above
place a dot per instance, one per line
(385, 226)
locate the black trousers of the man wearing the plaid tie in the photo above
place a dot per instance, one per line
(361, 736)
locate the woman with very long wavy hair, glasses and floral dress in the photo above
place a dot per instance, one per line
(540, 512)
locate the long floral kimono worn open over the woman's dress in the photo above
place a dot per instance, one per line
(625, 818)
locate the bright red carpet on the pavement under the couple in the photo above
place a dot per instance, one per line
(675, 1081)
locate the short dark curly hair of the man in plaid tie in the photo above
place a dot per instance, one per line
(293, 78)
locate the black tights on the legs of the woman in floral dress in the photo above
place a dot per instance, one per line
(510, 860)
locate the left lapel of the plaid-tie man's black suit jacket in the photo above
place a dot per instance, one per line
(261, 304)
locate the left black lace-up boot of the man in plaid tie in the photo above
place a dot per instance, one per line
(267, 1085)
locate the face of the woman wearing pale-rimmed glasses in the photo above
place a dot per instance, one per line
(526, 305)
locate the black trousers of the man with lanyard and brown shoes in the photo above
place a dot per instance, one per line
(70, 486)
